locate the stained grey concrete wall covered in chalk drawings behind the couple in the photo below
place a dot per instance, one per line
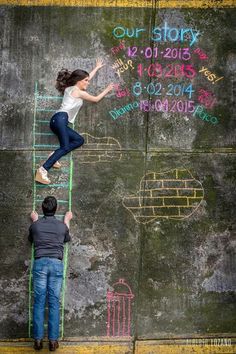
(152, 190)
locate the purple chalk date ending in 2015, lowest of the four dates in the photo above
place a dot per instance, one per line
(167, 106)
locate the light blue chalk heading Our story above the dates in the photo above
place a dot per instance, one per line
(159, 34)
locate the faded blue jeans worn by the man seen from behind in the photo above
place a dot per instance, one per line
(47, 280)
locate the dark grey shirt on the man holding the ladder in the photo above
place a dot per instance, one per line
(48, 235)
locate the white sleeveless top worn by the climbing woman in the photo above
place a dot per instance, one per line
(71, 105)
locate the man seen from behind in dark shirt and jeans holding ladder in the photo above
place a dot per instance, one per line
(48, 236)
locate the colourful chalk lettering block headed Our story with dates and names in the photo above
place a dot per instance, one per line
(156, 93)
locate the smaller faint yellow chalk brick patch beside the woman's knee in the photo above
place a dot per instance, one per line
(96, 150)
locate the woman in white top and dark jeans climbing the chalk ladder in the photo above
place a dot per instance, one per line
(73, 86)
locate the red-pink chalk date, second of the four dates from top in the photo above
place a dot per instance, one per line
(170, 70)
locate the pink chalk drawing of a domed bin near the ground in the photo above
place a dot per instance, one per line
(119, 309)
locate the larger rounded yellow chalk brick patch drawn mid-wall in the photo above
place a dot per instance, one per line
(174, 194)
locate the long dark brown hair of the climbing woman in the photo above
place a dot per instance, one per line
(66, 78)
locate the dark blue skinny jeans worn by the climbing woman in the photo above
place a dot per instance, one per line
(68, 138)
